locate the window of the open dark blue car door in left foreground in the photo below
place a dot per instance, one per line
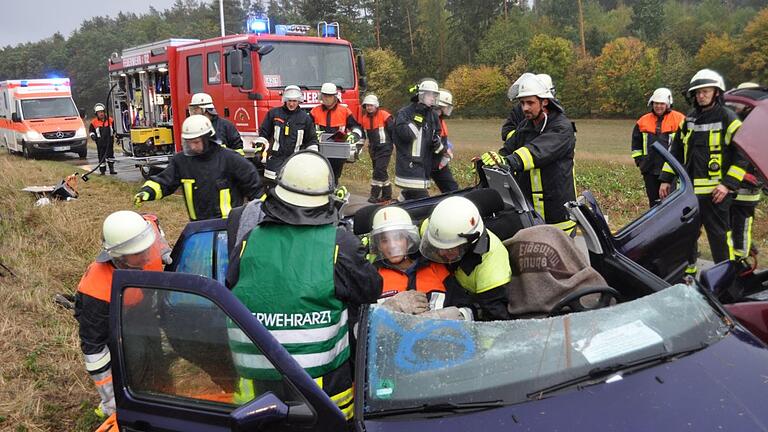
(183, 353)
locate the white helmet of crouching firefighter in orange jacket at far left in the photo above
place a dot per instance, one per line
(126, 233)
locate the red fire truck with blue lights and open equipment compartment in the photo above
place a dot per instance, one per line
(245, 74)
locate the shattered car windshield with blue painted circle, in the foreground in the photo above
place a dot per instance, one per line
(414, 362)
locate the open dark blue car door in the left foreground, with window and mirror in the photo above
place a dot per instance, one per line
(170, 378)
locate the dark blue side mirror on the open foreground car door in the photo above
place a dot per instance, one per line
(268, 409)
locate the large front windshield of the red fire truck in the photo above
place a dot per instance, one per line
(308, 65)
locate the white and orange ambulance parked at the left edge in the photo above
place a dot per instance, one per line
(39, 116)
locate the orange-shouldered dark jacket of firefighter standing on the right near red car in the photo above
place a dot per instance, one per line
(649, 129)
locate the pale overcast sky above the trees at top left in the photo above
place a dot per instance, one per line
(32, 20)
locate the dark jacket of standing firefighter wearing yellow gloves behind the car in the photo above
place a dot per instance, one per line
(546, 151)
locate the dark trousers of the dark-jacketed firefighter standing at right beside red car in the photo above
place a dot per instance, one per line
(716, 221)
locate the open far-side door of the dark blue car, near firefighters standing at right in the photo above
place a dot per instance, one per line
(661, 239)
